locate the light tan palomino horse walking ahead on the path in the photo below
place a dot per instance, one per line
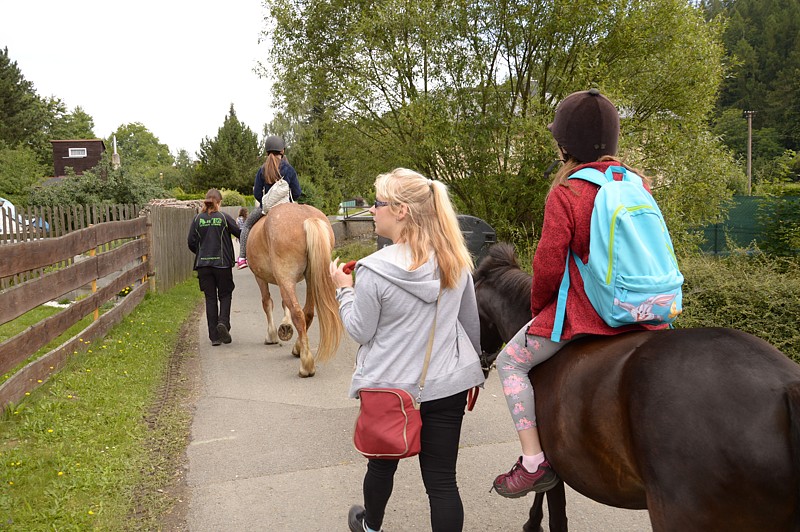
(290, 243)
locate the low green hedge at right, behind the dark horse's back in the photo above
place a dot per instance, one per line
(751, 292)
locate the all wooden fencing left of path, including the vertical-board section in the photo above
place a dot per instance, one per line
(99, 250)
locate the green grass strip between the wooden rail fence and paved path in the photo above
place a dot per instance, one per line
(78, 454)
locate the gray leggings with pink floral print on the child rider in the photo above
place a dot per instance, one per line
(521, 354)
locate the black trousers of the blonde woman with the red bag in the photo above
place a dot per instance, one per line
(441, 432)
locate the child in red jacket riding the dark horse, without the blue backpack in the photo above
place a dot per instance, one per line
(586, 130)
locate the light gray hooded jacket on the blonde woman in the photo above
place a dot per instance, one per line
(391, 314)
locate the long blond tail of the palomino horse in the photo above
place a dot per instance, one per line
(321, 289)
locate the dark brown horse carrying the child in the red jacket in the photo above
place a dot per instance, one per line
(701, 427)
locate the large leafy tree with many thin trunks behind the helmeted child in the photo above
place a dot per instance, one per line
(463, 91)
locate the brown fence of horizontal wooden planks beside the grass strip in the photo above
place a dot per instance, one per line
(114, 252)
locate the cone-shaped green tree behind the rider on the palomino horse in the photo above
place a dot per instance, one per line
(229, 160)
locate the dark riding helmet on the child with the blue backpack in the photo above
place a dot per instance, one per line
(586, 125)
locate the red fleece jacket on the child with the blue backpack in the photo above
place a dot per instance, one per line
(567, 219)
